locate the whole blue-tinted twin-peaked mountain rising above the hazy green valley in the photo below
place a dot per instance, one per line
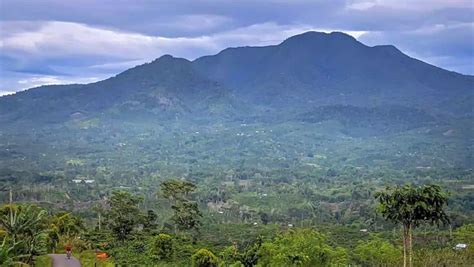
(303, 72)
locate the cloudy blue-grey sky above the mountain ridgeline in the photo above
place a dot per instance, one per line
(82, 41)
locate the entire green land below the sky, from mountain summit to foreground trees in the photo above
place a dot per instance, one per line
(319, 151)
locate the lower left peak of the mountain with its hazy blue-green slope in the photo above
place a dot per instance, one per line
(163, 88)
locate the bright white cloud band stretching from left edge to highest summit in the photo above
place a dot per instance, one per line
(57, 39)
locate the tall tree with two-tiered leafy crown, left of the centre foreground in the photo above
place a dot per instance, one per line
(186, 214)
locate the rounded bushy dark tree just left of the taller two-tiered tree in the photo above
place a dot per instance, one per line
(124, 214)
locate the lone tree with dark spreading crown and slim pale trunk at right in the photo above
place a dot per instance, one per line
(411, 206)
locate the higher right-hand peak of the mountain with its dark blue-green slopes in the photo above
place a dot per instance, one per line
(318, 69)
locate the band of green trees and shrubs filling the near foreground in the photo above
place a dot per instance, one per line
(133, 236)
